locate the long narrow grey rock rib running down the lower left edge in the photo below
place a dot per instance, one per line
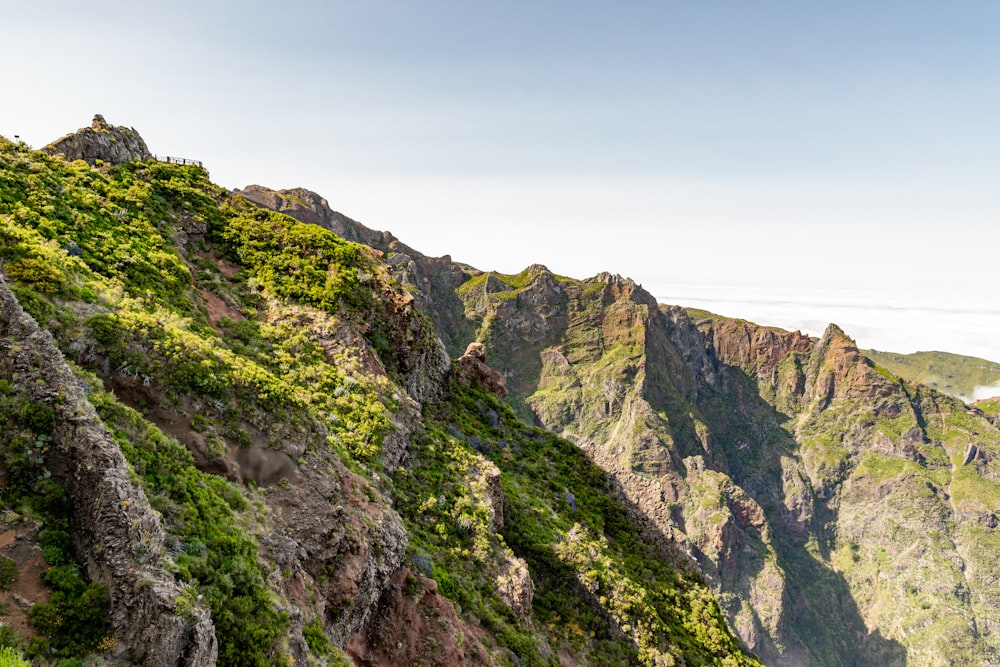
(118, 535)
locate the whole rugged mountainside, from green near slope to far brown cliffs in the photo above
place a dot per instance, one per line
(240, 428)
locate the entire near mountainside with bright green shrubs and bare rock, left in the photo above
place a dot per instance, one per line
(298, 468)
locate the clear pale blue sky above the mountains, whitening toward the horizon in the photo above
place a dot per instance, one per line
(769, 145)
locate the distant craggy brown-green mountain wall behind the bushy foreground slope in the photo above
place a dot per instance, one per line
(844, 515)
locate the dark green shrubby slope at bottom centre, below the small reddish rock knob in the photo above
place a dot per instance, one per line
(597, 580)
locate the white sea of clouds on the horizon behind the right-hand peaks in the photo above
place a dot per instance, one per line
(967, 324)
